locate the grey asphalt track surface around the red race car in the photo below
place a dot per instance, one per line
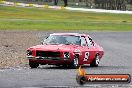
(117, 60)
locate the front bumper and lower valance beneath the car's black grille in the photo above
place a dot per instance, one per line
(50, 61)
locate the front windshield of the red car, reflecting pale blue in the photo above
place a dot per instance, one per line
(62, 39)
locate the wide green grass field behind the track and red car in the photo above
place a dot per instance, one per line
(12, 18)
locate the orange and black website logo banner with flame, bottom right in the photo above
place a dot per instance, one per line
(82, 78)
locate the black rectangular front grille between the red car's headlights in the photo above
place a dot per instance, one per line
(47, 54)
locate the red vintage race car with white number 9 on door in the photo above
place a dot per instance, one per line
(67, 49)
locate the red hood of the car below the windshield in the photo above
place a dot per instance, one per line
(60, 47)
